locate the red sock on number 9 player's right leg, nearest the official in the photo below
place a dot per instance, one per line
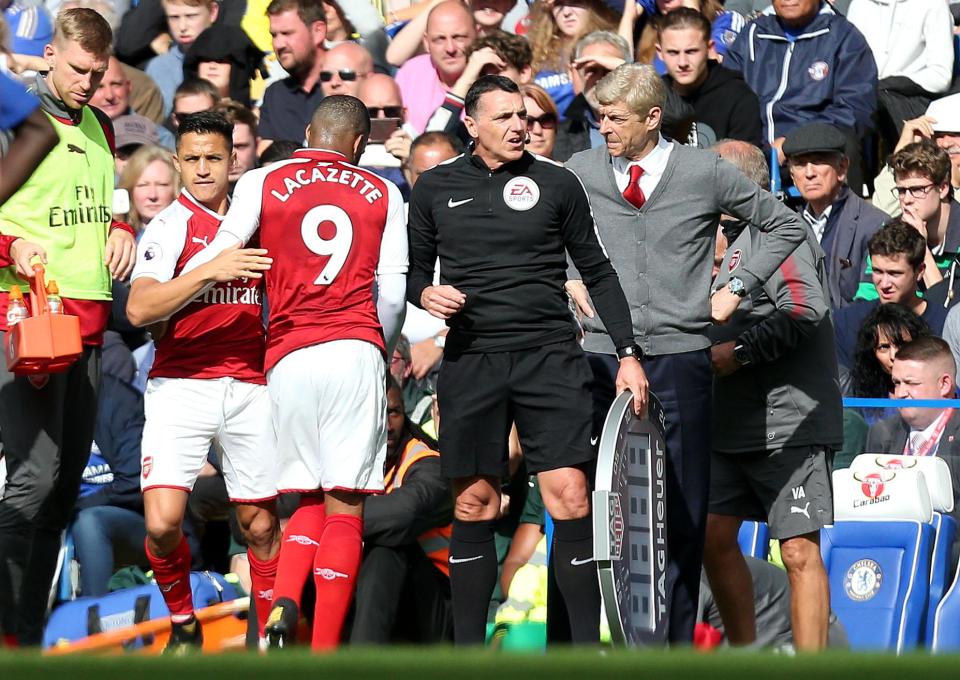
(335, 575)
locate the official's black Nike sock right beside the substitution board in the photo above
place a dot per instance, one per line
(576, 574)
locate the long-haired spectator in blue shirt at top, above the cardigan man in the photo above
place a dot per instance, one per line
(555, 28)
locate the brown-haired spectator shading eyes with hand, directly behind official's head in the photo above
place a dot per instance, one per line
(495, 54)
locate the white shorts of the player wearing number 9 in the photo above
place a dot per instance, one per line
(330, 415)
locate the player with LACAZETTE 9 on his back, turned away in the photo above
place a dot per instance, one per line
(332, 230)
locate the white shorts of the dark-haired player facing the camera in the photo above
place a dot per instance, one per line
(184, 416)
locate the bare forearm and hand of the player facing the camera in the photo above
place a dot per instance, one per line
(153, 300)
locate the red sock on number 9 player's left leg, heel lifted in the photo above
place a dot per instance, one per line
(300, 541)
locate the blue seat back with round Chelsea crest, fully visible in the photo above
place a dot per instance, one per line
(878, 574)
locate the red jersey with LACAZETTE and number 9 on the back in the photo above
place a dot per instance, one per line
(322, 221)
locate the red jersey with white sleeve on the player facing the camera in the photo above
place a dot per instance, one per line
(219, 333)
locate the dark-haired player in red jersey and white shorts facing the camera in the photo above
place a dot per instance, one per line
(207, 385)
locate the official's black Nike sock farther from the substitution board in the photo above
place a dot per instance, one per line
(473, 575)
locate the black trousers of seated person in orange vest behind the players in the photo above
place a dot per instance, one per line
(401, 596)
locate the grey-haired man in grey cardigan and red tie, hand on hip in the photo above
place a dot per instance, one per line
(657, 205)
